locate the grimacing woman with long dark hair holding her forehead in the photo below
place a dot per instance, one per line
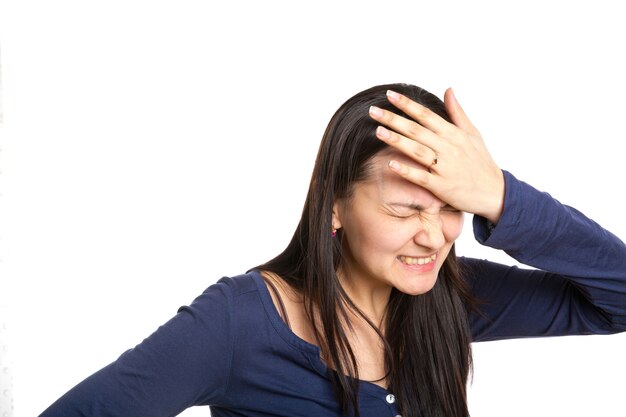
(368, 311)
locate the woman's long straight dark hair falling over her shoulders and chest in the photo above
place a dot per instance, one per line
(427, 340)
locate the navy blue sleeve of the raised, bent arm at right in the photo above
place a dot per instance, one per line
(577, 280)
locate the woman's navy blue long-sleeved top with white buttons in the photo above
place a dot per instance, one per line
(231, 350)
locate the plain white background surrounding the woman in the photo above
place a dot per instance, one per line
(150, 148)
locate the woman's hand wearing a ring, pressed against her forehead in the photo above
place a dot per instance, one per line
(460, 171)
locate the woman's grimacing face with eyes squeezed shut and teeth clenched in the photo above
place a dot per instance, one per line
(395, 233)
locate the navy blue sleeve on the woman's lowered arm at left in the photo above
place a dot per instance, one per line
(185, 362)
